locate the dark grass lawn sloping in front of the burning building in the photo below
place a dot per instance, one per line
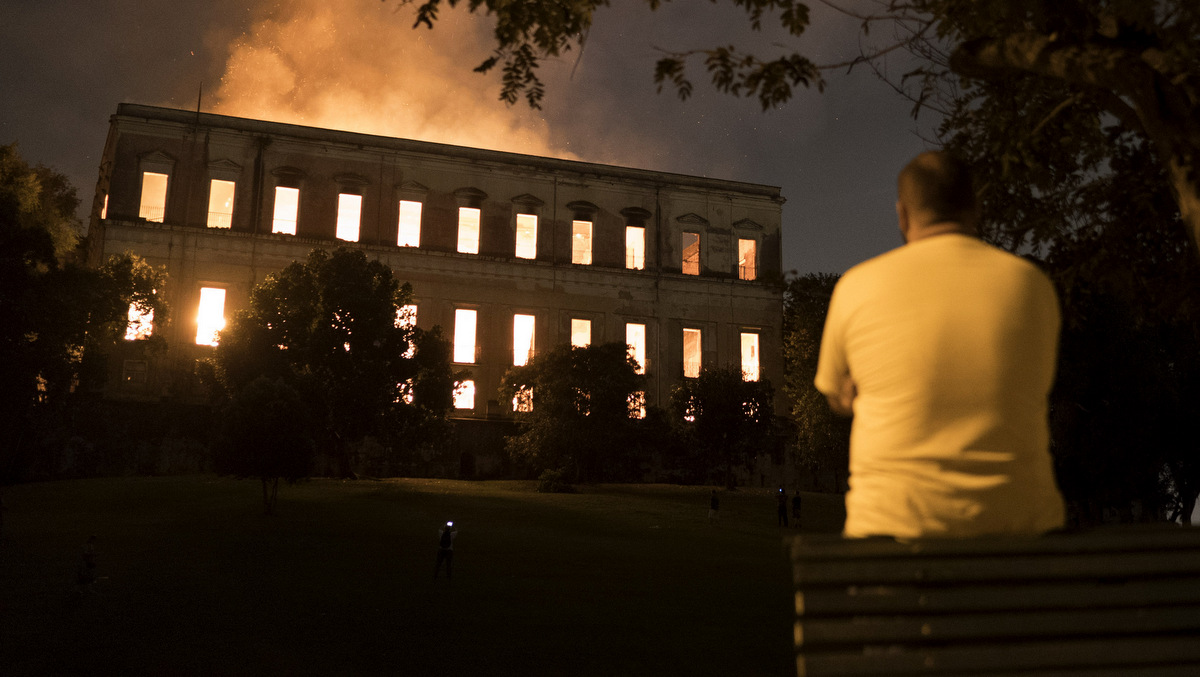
(614, 580)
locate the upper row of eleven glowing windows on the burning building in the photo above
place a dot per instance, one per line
(409, 233)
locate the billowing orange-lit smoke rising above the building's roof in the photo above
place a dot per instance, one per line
(358, 65)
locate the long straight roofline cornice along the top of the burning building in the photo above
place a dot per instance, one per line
(194, 118)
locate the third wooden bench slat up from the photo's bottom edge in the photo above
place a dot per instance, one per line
(842, 601)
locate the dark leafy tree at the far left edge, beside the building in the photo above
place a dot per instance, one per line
(58, 316)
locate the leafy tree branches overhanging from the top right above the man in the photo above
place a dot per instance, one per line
(1135, 63)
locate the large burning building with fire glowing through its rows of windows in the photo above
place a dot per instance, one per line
(509, 254)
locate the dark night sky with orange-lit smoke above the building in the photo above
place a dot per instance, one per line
(67, 64)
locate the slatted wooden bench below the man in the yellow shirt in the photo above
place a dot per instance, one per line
(1114, 603)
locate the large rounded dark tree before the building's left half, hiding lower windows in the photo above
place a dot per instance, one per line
(328, 327)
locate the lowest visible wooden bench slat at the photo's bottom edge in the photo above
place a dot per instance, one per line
(1023, 657)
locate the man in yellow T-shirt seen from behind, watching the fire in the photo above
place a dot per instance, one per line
(944, 352)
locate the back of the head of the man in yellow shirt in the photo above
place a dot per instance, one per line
(937, 189)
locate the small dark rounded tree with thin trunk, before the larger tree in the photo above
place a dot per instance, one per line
(265, 435)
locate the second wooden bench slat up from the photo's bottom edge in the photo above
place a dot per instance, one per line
(997, 627)
